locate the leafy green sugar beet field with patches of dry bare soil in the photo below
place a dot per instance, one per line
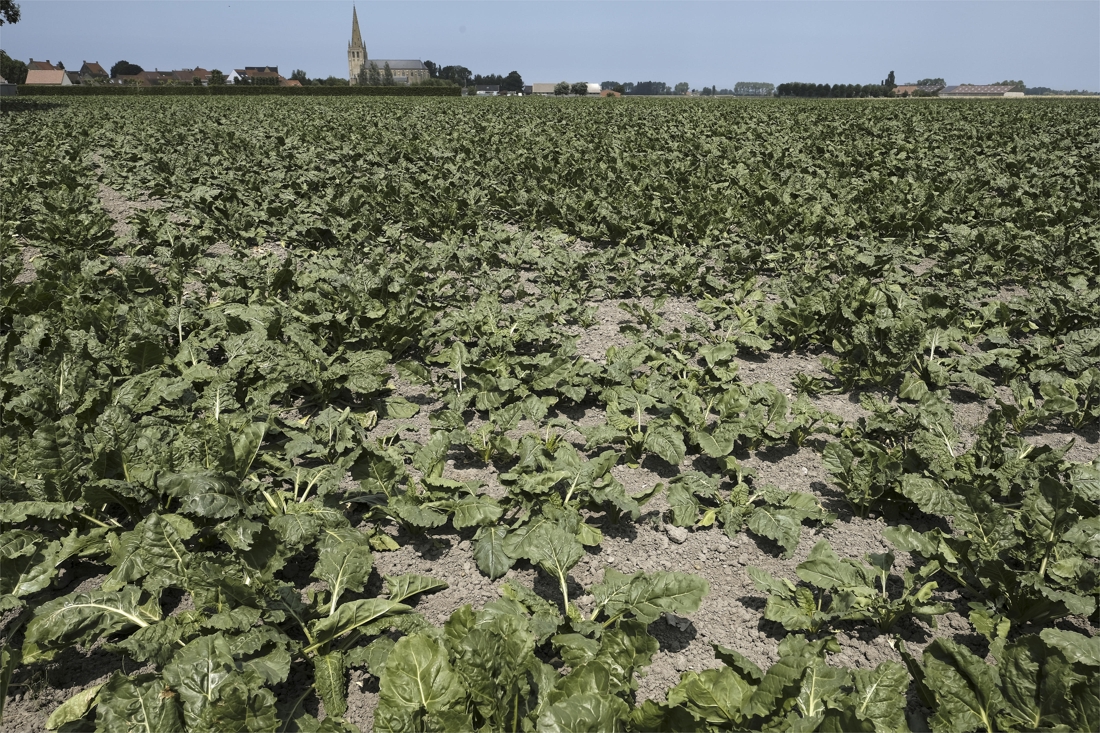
(552, 415)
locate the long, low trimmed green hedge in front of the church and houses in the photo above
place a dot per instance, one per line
(233, 91)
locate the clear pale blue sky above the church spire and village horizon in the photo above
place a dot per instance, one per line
(1050, 43)
